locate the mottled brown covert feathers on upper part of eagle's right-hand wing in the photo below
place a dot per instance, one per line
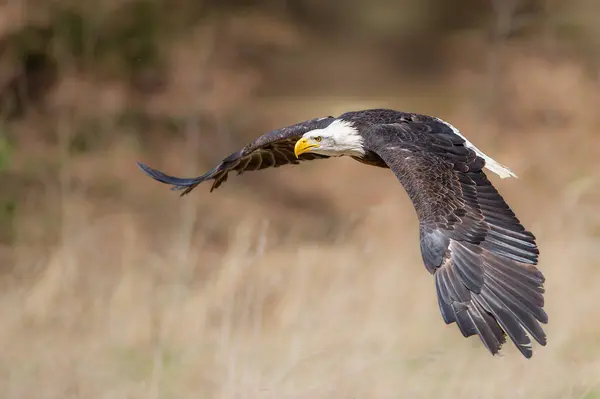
(433, 171)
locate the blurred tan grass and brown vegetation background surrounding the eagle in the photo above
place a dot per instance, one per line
(298, 282)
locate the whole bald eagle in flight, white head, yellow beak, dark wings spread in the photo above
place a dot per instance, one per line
(482, 259)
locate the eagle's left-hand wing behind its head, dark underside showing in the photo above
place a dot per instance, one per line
(272, 149)
